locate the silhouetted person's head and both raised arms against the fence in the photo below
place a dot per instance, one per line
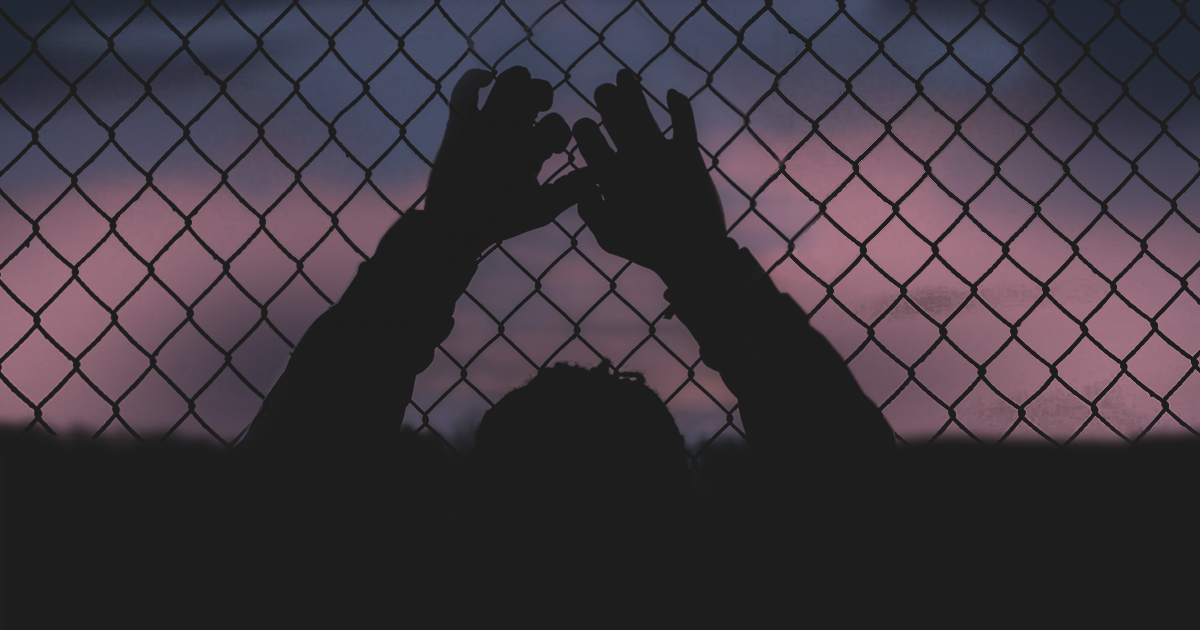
(571, 434)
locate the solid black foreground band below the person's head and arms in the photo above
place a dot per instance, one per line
(187, 537)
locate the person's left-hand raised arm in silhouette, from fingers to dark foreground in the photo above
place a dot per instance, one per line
(351, 377)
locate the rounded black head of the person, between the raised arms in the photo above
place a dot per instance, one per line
(577, 437)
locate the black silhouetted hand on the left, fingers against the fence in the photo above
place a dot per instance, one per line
(485, 177)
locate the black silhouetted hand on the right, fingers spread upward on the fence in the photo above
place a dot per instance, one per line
(658, 206)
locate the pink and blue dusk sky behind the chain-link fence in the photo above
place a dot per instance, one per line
(1043, 170)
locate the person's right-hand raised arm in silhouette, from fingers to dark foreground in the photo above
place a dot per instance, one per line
(658, 207)
